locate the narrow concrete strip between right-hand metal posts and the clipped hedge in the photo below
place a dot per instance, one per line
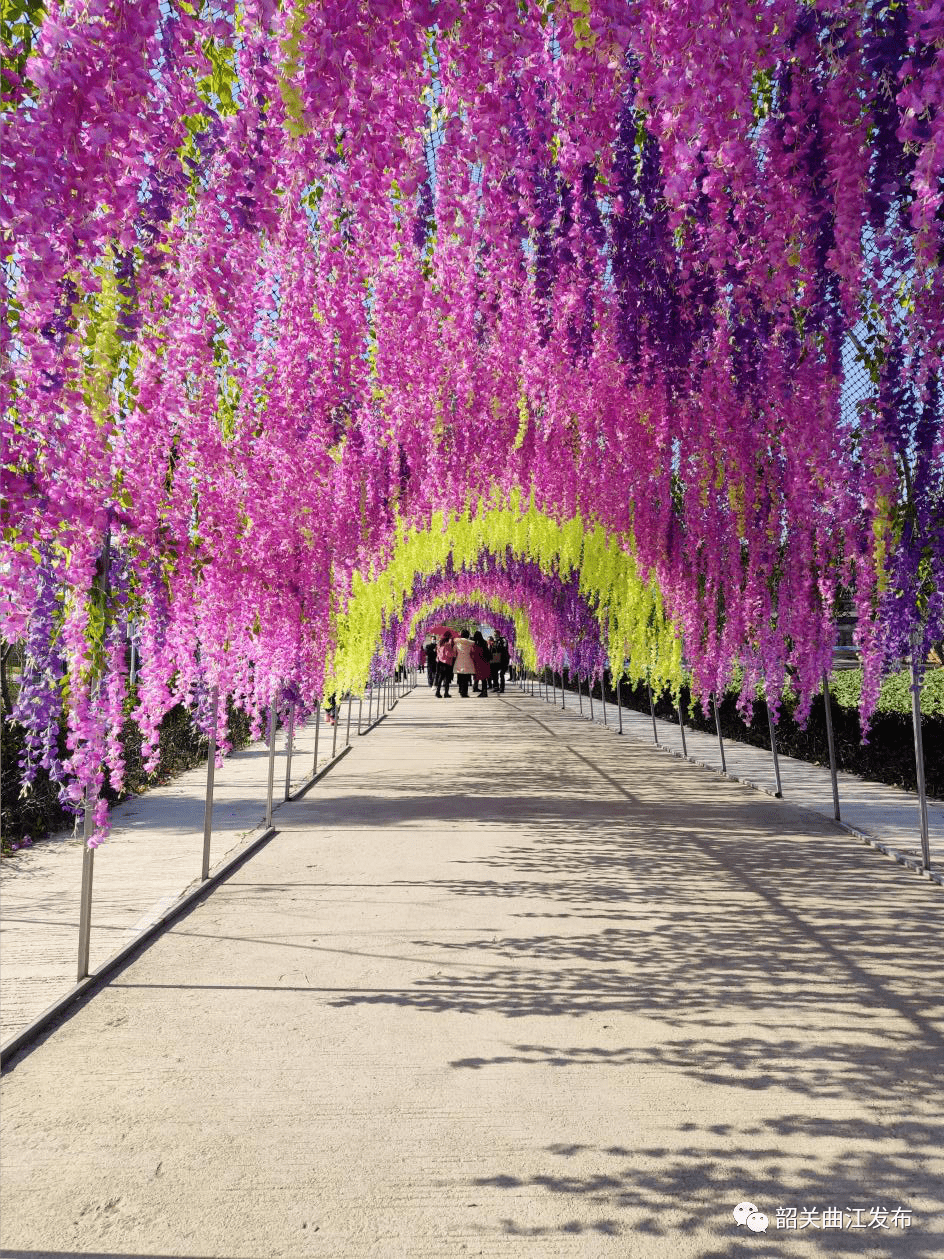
(885, 815)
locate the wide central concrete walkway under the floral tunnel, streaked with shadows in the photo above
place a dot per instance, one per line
(506, 986)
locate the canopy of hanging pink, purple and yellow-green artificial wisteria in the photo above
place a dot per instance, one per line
(294, 283)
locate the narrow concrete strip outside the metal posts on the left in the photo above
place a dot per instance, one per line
(152, 857)
